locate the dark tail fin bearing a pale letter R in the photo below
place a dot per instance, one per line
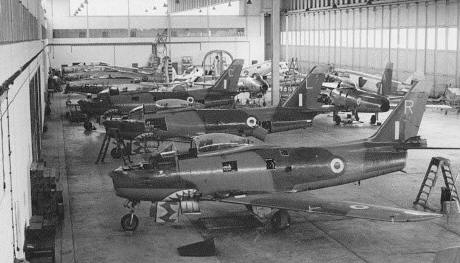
(404, 122)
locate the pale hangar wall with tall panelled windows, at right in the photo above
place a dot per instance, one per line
(417, 36)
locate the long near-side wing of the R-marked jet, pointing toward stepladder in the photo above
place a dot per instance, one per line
(301, 203)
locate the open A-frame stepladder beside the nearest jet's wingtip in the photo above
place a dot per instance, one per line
(437, 165)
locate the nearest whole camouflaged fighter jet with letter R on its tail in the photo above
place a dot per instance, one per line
(266, 178)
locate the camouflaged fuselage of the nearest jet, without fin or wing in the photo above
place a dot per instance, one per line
(259, 169)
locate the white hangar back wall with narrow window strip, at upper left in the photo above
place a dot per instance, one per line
(128, 39)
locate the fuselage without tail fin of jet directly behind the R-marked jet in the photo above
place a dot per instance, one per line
(191, 122)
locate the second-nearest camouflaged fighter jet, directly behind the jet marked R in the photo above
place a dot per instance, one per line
(297, 112)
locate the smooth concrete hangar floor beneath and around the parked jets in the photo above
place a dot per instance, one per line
(92, 233)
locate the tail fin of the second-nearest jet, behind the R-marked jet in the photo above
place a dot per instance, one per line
(306, 95)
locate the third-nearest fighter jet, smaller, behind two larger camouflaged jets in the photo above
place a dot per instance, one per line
(221, 92)
